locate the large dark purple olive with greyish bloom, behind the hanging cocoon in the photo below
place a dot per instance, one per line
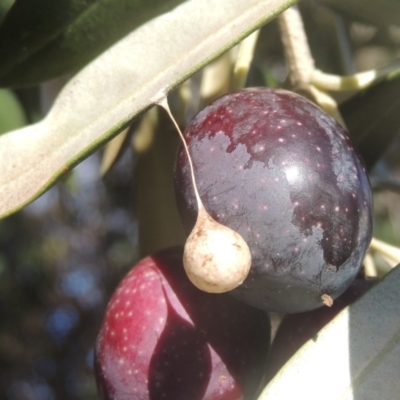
(277, 169)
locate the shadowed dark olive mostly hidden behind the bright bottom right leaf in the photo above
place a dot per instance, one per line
(297, 329)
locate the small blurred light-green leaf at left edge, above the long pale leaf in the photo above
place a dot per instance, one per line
(12, 115)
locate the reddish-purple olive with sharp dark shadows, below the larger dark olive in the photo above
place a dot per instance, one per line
(164, 339)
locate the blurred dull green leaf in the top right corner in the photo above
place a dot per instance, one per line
(375, 12)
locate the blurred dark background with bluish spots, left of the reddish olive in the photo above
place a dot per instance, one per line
(60, 258)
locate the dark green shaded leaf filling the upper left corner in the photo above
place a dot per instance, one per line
(43, 39)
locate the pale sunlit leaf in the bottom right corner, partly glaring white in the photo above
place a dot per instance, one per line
(354, 357)
